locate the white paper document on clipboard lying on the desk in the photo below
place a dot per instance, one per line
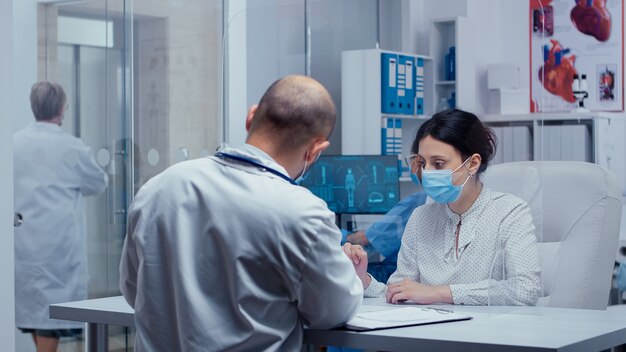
(399, 317)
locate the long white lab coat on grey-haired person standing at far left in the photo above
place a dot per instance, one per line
(53, 171)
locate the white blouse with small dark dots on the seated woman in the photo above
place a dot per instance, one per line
(497, 261)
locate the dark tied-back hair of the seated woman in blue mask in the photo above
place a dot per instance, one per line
(462, 130)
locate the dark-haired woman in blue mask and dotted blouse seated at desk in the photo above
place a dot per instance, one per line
(472, 245)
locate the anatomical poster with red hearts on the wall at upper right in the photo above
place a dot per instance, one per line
(576, 55)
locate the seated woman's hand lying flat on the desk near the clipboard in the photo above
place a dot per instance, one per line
(409, 290)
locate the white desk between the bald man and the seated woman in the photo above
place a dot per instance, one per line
(492, 329)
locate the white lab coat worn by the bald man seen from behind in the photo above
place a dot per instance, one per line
(224, 255)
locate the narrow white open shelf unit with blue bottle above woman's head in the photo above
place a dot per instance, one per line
(446, 33)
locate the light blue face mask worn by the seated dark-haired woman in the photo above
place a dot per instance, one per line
(438, 184)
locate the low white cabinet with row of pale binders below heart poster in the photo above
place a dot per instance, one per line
(595, 137)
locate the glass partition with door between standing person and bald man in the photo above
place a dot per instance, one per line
(142, 79)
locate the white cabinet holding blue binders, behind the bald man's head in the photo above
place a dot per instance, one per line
(367, 125)
